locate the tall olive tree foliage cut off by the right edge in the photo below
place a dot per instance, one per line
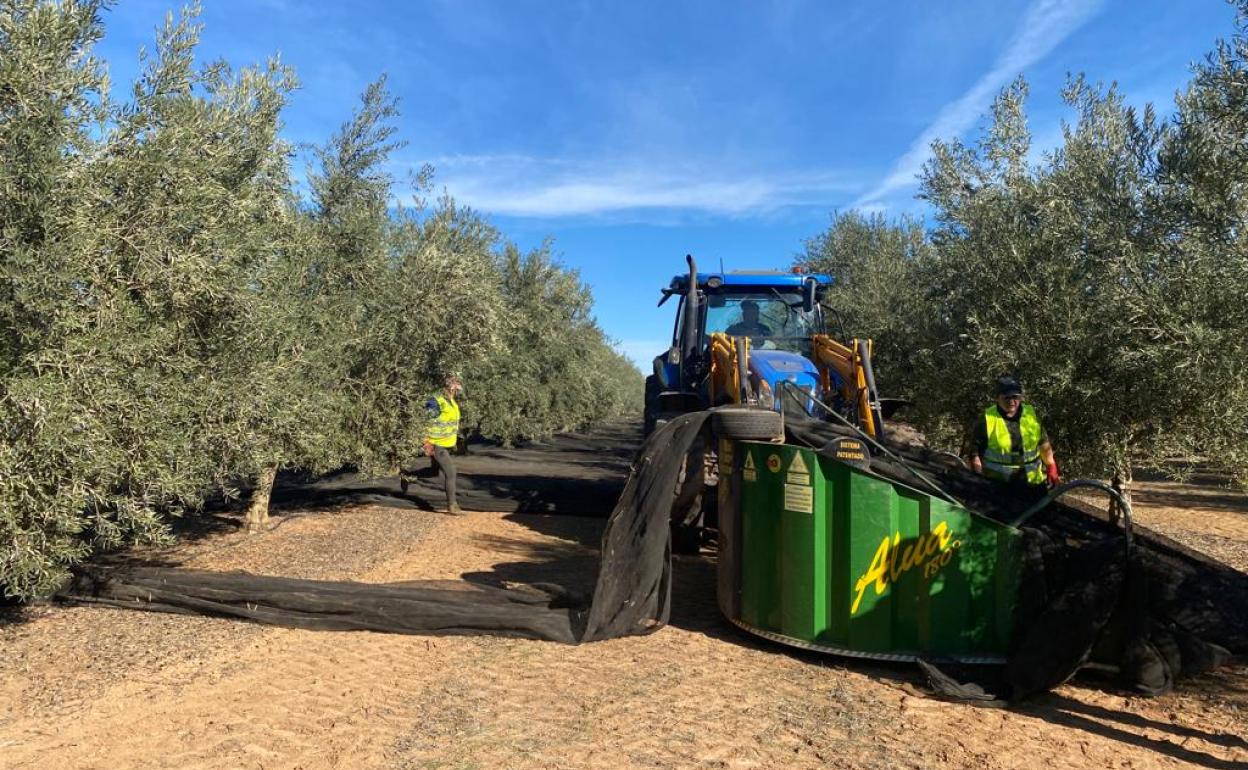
(1204, 179)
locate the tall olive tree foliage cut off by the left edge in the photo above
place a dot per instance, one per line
(51, 93)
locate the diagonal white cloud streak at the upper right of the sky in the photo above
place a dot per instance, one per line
(1046, 24)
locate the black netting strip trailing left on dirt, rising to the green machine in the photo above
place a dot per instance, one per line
(632, 596)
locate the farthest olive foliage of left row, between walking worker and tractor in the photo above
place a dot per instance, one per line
(556, 370)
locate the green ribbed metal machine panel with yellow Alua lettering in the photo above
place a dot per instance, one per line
(831, 557)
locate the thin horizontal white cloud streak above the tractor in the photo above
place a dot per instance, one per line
(520, 185)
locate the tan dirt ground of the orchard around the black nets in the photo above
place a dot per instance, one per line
(84, 687)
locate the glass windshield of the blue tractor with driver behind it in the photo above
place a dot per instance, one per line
(771, 320)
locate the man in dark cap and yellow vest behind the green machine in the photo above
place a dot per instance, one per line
(1010, 444)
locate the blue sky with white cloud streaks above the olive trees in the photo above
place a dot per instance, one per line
(635, 133)
